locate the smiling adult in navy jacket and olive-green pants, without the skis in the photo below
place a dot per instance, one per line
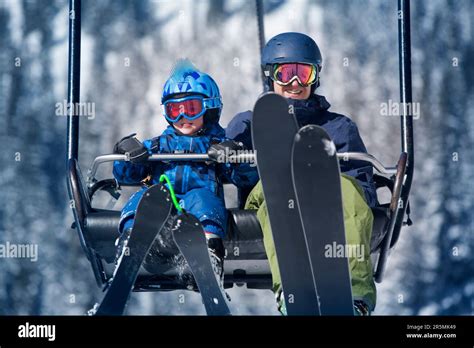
(292, 63)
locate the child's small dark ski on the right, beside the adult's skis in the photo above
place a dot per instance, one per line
(191, 241)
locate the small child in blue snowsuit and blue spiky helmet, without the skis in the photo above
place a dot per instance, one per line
(192, 106)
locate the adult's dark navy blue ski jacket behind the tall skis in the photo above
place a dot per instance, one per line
(342, 130)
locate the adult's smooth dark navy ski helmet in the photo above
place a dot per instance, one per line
(290, 48)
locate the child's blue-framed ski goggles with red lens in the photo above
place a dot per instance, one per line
(190, 107)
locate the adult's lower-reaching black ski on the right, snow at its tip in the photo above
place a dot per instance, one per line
(317, 183)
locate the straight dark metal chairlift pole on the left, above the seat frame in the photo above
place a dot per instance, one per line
(73, 77)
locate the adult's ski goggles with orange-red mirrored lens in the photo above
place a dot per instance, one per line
(284, 74)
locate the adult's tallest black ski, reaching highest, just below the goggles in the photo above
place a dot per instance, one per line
(273, 146)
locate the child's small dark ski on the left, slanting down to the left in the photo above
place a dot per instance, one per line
(153, 210)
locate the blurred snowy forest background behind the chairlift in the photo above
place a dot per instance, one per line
(128, 48)
